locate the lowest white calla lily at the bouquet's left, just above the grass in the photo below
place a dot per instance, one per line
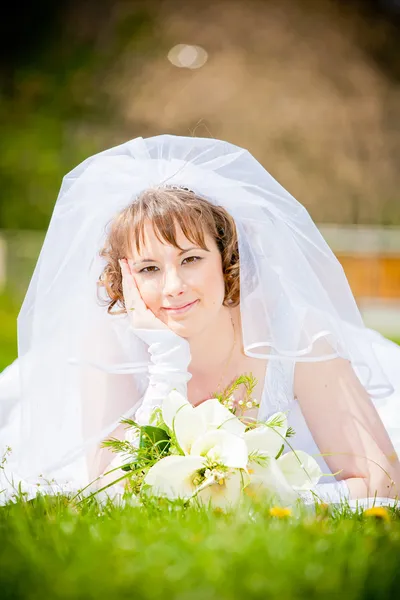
(173, 476)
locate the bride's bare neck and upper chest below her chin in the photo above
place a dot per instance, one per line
(211, 347)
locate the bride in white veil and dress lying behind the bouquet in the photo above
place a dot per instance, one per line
(175, 262)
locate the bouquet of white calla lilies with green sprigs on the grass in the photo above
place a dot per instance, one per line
(209, 455)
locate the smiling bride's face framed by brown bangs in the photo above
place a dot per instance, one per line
(185, 289)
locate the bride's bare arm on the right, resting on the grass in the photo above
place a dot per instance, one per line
(344, 421)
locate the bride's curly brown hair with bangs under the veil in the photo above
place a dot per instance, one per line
(165, 208)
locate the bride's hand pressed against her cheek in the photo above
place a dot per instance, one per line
(139, 315)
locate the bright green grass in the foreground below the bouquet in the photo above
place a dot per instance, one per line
(50, 550)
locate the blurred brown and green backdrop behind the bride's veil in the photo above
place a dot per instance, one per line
(310, 87)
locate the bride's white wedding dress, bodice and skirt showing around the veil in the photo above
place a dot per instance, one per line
(277, 395)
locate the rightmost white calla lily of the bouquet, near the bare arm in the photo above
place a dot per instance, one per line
(302, 472)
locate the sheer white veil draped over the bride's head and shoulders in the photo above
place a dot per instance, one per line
(80, 370)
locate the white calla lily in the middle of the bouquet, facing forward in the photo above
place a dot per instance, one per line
(221, 447)
